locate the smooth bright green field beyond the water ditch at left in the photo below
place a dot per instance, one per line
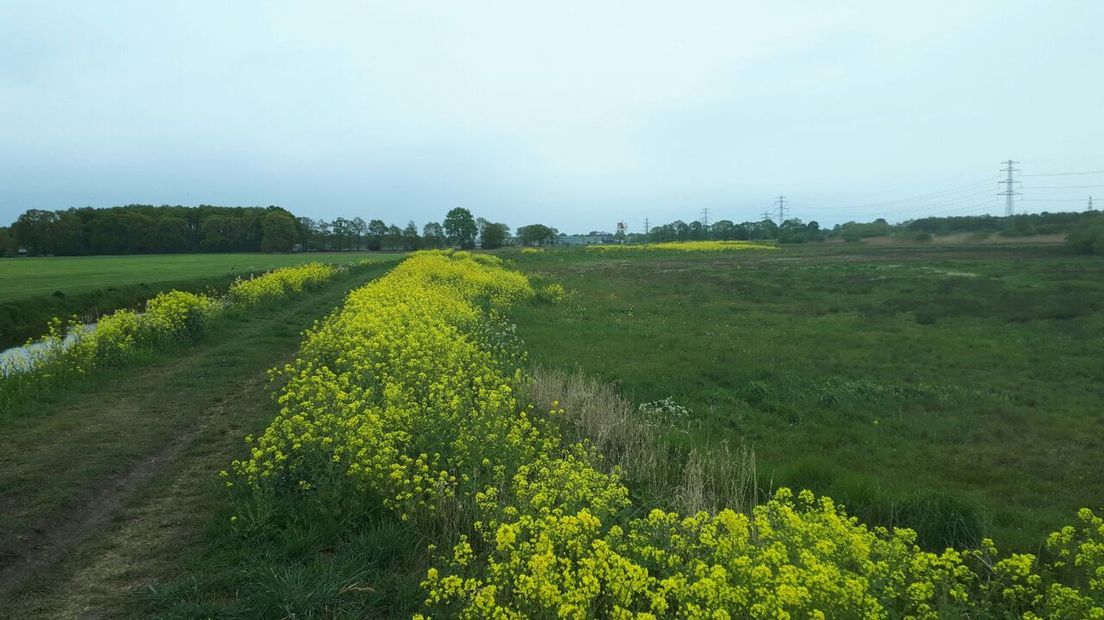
(35, 291)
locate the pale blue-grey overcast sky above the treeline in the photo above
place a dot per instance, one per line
(577, 115)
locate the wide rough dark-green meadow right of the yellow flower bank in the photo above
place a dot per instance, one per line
(957, 390)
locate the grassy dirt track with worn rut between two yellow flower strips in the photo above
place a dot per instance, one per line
(91, 459)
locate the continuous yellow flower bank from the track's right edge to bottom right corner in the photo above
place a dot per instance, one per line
(407, 399)
